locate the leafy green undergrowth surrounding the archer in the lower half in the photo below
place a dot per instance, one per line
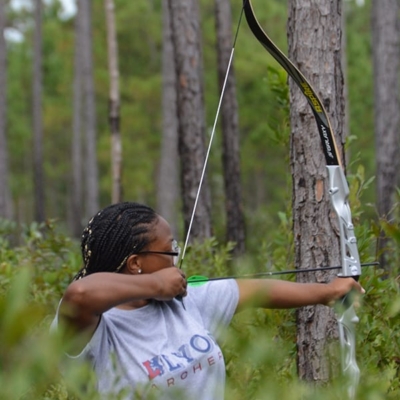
(260, 346)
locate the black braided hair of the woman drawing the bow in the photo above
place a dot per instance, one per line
(113, 234)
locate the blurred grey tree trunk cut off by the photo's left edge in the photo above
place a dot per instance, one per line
(5, 195)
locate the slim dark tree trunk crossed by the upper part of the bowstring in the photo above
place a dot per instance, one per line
(235, 228)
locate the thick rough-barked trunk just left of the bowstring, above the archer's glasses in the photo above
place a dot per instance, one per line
(189, 72)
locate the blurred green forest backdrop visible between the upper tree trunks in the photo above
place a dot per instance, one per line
(263, 141)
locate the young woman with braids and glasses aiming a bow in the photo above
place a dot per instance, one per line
(139, 338)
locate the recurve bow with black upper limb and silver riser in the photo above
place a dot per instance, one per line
(338, 191)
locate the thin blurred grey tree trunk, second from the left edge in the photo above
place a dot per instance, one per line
(38, 175)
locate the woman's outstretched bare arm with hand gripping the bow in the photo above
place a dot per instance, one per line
(271, 293)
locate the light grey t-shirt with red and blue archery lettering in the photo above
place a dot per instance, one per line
(164, 350)
